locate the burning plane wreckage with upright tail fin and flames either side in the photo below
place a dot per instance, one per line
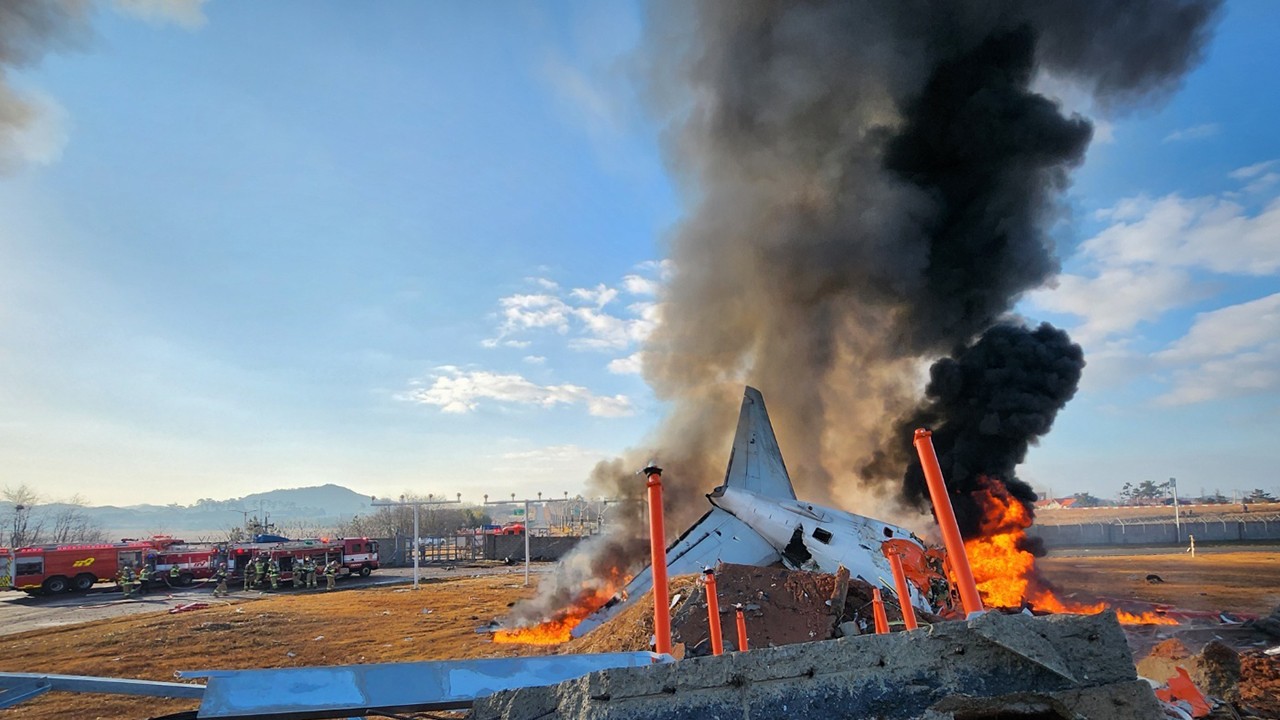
(757, 521)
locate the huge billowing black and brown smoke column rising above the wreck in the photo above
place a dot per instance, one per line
(870, 188)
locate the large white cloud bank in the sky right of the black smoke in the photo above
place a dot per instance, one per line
(1162, 254)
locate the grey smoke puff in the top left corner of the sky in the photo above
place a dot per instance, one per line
(29, 30)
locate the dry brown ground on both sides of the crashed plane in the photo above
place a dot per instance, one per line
(440, 622)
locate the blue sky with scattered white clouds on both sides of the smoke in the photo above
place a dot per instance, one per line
(419, 247)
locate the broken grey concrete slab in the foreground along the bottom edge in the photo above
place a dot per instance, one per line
(994, 666)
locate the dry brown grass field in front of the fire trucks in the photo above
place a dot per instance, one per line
(341, 628)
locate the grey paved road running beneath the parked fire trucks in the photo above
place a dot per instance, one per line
(21, 613)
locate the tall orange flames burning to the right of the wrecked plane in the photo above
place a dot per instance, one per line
(1005, 572)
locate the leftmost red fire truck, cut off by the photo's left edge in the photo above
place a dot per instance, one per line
(57, 568)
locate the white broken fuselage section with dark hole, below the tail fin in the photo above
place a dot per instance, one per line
(830, 537)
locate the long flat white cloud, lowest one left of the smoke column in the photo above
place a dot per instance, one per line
(461, 391)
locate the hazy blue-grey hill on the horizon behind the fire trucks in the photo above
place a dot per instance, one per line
(322, 508)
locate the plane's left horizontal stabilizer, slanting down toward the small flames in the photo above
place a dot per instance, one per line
(719, 537)
